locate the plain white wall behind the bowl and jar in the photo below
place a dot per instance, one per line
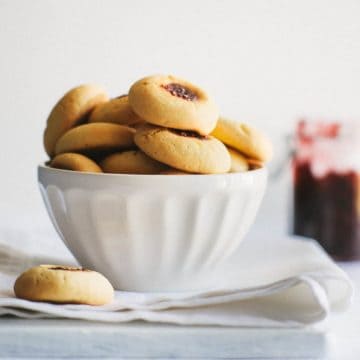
(265, 62)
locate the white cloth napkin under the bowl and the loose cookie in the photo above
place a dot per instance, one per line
(282, 283)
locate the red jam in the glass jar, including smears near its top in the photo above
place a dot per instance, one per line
(326, 207)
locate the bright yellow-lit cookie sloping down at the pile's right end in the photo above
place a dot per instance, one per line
(244, 138)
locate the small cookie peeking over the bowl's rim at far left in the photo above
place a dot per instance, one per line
(75, 162)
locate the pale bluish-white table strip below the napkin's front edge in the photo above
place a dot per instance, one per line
(75, 339)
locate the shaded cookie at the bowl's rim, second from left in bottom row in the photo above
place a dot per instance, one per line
(131, 162)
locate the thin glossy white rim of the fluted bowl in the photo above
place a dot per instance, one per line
(43, 167)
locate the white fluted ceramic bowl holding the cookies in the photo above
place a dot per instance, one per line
(152, 232)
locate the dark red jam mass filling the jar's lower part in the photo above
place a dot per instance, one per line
(325, 209)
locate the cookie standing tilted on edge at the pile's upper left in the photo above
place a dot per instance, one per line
(70, 111)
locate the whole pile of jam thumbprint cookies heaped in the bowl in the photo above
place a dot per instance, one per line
(165, 125)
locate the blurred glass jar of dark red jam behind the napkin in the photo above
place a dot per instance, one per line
(326, 176)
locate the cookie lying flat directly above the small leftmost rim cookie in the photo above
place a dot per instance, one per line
(96, 137)
